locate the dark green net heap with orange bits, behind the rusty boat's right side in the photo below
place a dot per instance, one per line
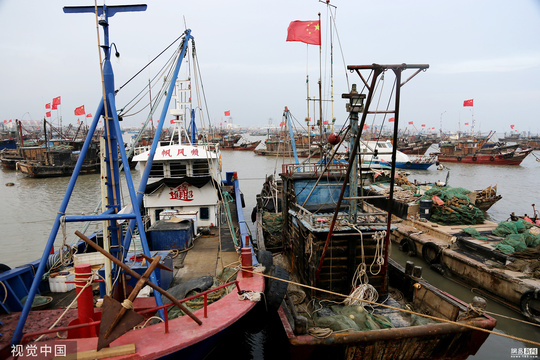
(458, 208)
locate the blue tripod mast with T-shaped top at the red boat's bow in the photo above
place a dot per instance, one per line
(112, 133)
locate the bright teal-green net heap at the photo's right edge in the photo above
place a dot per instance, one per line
(517, 236)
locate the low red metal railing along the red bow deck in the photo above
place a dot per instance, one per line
(28, 336)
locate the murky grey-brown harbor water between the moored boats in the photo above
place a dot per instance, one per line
(28, 207)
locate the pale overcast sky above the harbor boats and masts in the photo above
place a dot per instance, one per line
(484, 50)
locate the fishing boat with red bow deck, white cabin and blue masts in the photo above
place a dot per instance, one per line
(192, 306)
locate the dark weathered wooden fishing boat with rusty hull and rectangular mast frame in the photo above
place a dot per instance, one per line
(346, 297)
